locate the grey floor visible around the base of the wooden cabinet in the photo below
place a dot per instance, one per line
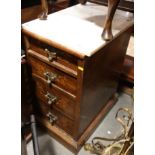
(108, 128)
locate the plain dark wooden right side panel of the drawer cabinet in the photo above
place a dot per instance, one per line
(101, 75)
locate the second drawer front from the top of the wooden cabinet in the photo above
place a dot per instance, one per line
(53, 75)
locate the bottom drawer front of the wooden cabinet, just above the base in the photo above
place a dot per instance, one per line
(55, 118)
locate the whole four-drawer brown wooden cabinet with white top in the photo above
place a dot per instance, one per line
(75, 72)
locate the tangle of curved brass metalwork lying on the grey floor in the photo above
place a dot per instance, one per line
(117, 144)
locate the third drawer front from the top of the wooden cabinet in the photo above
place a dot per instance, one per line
(55, 98)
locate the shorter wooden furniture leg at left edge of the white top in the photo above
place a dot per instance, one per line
(44, 6)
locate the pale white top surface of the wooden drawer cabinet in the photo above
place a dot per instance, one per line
(79, 27)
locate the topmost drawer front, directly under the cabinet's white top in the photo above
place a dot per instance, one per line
(54, 54)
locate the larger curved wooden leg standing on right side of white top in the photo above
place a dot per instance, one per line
(107, 31)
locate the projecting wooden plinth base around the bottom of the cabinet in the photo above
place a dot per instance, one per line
(67, 140)
